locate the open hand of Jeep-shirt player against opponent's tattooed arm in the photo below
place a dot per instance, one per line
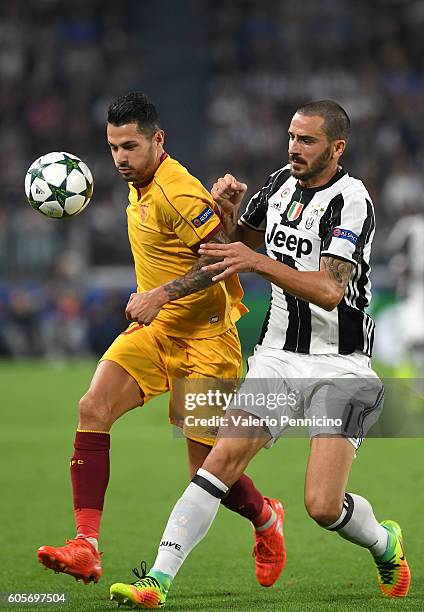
(237, 258)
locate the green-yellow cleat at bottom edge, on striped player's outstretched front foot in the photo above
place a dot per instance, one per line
(146, 592)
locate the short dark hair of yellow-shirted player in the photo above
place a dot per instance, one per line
(134, 107)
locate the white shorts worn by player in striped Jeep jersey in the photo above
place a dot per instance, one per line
(331, 394)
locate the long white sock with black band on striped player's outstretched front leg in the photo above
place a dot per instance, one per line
(189, 522)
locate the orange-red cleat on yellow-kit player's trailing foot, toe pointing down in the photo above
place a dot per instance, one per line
(270, 550)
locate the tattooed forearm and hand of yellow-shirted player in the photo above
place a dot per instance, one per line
(144, 307)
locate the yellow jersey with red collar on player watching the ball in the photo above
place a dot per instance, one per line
(167, 221)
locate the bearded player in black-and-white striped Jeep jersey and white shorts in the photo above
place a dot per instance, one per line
(317, 223)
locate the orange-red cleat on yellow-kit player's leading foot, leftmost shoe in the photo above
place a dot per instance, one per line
(78, 558)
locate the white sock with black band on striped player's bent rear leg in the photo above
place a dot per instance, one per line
(358, 524)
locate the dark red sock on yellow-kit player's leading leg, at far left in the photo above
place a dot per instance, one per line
(90, 477)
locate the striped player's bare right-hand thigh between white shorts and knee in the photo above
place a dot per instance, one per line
(329, 463)
